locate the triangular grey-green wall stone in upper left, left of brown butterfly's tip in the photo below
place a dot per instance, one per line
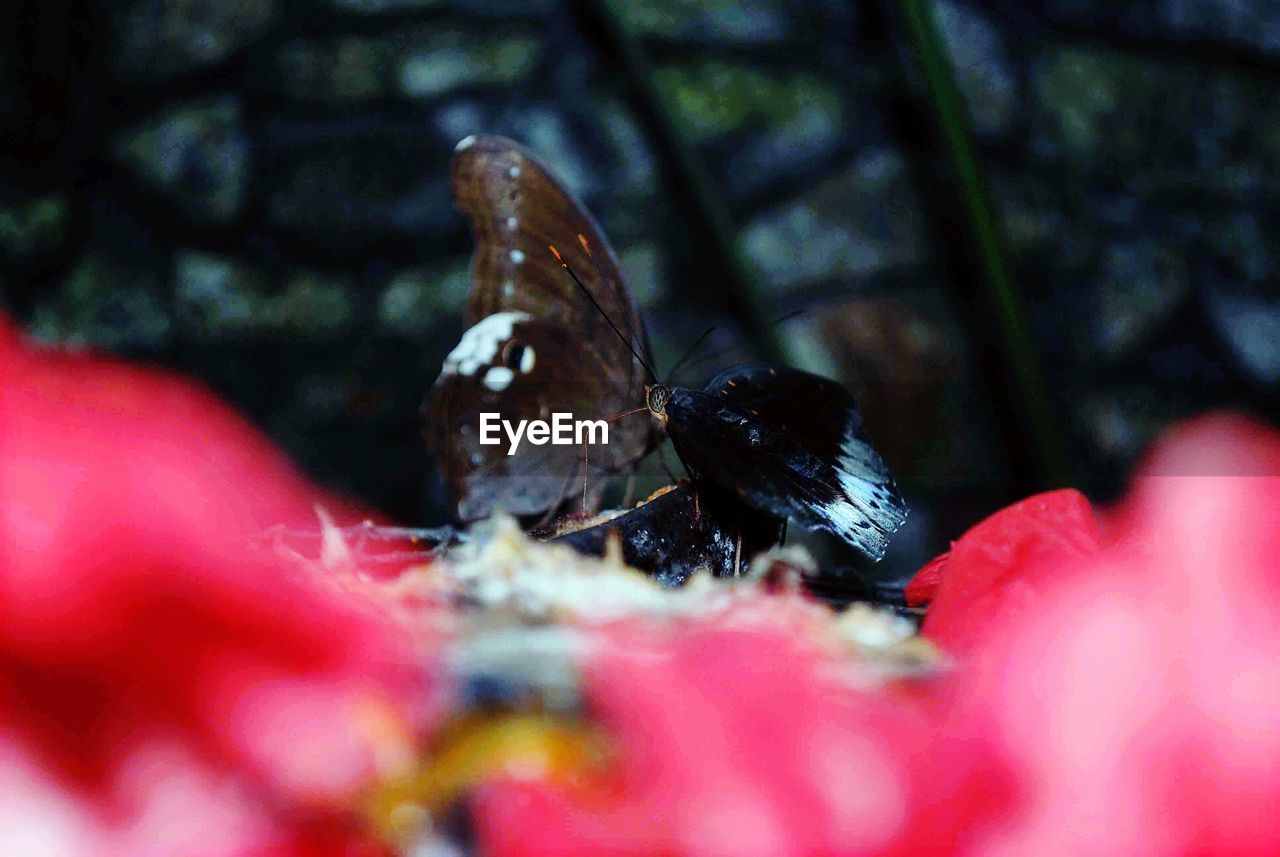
(198, 155)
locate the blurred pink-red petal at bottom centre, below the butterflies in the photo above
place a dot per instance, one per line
(748, 741)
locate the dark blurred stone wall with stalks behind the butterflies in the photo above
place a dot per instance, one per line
(254, 193)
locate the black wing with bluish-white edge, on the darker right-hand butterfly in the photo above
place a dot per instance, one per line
(789, 443)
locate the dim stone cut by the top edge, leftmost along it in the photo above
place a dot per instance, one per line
(164, 38)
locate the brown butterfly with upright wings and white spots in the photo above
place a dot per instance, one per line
(536, 345)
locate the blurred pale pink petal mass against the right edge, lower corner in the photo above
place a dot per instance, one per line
(1140, 698)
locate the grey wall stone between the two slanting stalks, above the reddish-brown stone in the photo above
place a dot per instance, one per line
(865, 221)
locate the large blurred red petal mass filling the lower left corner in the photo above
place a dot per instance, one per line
(157, 670)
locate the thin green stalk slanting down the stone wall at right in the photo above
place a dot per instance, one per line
(1018, 342)
